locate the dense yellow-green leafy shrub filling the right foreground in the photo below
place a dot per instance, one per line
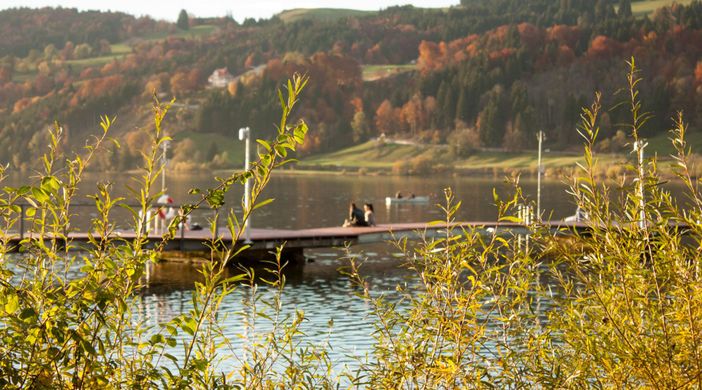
(619, 306)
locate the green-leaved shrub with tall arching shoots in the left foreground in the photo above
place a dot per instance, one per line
(66, 329)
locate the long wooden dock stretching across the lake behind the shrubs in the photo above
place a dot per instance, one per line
(264, 241)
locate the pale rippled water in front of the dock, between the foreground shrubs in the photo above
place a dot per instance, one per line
(316, 287)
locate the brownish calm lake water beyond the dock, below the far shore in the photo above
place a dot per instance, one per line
(306, 201)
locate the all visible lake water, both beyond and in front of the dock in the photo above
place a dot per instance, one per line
(306, 201)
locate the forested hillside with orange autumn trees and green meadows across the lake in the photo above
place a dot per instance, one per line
(485, 74)
